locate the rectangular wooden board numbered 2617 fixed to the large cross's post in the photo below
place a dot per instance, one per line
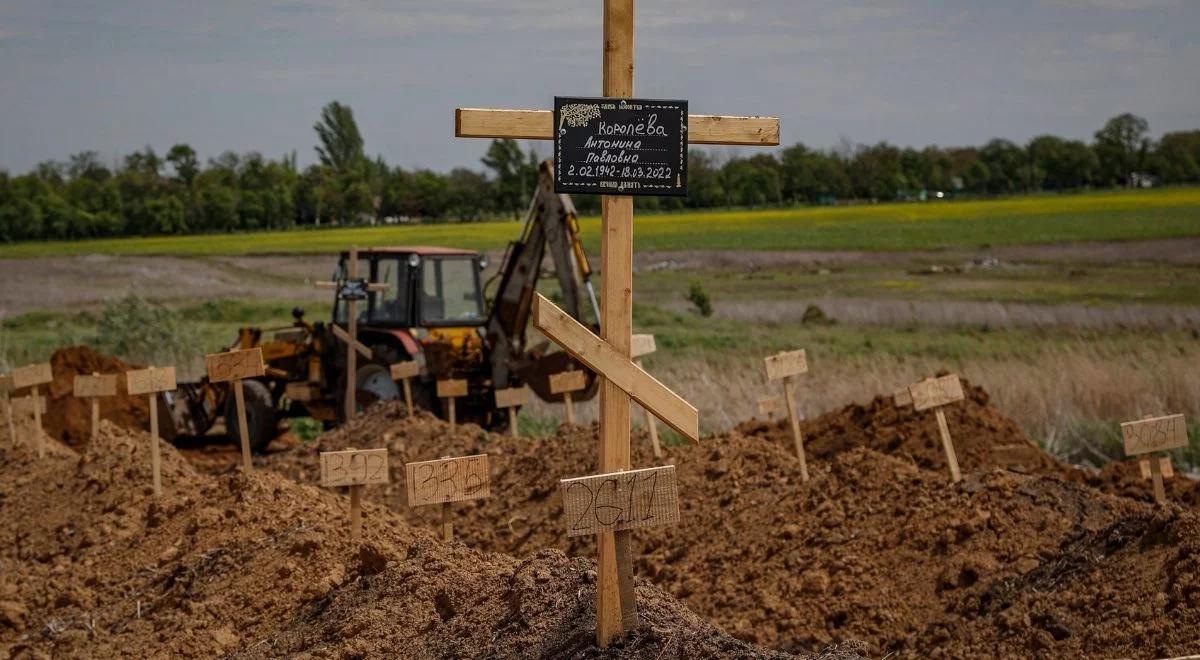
(617, 501)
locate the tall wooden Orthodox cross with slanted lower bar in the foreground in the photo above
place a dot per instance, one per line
(615, 596)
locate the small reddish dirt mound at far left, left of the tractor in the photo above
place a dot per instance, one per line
(69, 419)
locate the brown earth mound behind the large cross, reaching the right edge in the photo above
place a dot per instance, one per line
(877, 548)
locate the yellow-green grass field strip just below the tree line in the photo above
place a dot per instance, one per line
(1135, 215)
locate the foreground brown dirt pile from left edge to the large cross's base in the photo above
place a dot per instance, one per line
(256, 565)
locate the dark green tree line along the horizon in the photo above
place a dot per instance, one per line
(176, 194)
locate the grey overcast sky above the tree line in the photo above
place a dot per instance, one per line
(113, 76)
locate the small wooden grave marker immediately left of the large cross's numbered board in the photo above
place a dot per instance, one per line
(446, 482)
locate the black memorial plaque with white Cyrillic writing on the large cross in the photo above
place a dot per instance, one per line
(621, 147)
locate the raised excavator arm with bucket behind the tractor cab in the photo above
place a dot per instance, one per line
(551, 226)
